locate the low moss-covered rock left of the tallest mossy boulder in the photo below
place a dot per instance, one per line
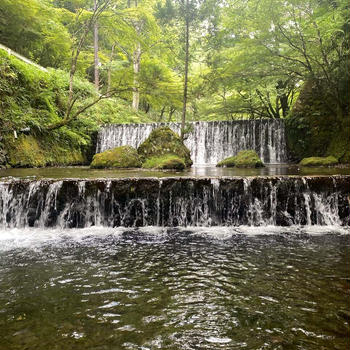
(119, 157)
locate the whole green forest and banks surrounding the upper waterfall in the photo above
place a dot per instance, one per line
(140, 61)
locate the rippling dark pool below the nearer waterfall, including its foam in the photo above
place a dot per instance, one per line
(218, 288)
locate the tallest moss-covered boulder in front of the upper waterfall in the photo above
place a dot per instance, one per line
(163, 141)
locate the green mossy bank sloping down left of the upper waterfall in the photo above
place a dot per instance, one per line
(33, 99)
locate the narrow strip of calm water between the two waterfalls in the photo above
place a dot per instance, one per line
(86, 172)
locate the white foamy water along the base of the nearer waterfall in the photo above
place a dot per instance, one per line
(35, 238)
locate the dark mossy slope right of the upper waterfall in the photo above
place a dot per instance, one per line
(315, 129)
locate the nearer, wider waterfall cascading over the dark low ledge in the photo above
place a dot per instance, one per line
(231, 201)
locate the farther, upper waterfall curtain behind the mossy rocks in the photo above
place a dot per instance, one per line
(209, 142)
